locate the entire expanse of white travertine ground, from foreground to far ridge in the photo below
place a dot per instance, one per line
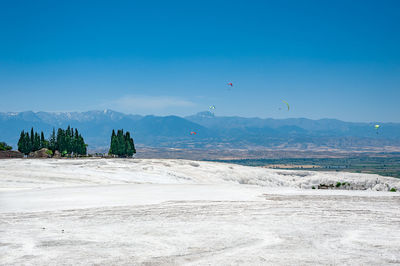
(174, 212)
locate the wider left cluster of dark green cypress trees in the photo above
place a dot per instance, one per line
(67, 141)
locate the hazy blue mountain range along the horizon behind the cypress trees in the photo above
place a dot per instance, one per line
(212, 131)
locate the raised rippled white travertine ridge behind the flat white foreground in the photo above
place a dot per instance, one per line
(22, 173)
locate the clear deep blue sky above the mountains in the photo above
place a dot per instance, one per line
(328, 59)
